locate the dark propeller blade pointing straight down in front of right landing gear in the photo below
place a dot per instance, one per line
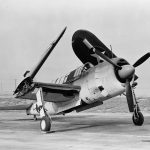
(129, 96)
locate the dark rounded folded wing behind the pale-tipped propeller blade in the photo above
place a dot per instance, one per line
(83, 53)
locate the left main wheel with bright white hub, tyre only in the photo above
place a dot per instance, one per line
(45, 124)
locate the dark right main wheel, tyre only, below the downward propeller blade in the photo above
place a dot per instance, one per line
(138, 119)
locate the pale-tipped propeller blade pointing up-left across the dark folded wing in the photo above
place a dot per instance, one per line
(98, 52)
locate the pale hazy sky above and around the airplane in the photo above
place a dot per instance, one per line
(27, 27)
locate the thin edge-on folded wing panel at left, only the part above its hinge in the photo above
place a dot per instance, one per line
(46, 54)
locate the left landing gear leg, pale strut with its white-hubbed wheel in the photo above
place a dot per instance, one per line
(45, 123)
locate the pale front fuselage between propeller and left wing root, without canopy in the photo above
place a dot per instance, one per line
(99, 83)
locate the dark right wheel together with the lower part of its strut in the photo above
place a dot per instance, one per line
(138, 118)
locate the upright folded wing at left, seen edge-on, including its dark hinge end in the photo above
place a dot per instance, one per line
(24, 86)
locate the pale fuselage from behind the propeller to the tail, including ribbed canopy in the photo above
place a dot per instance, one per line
(98, 83)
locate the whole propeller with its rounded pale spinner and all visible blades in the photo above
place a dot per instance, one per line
(125, 72)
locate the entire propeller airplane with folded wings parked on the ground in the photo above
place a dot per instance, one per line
(102, 76)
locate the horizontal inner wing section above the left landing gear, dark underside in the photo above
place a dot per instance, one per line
(51, 92)
